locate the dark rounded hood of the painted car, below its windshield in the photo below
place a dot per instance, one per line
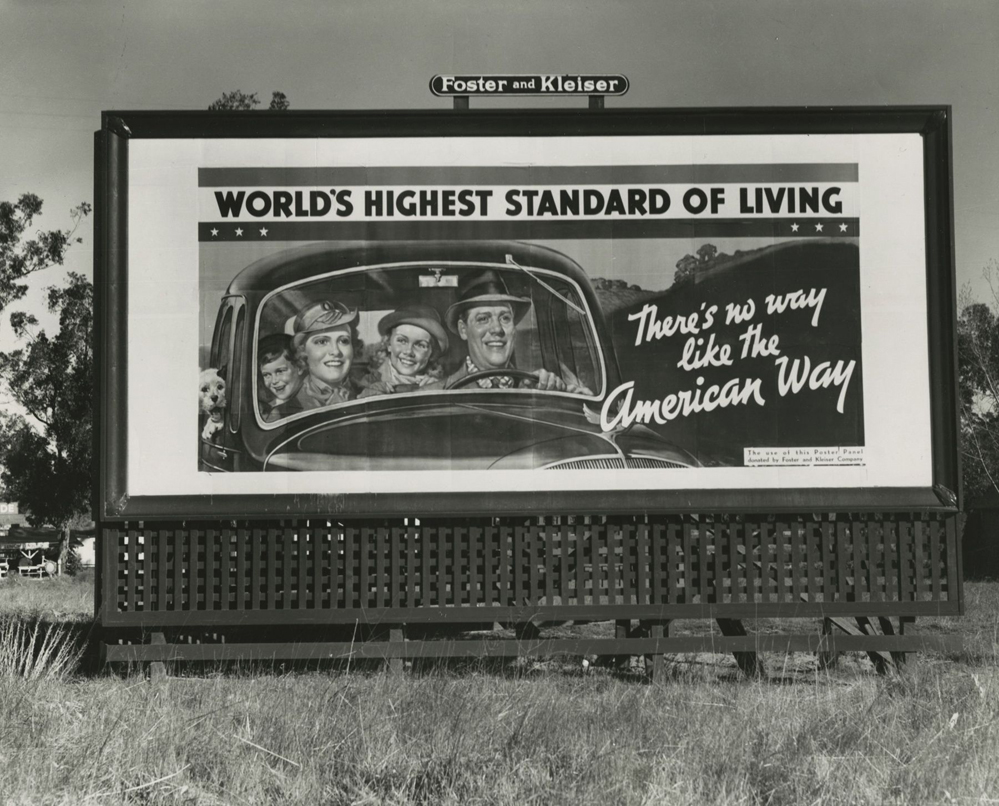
(467, 434)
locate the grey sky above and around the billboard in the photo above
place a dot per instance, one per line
(63, 61)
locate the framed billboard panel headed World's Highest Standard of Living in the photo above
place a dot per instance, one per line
(474, 317)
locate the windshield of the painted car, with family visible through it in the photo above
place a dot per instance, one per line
(429, 328)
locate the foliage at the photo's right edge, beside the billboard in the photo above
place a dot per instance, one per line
(978, 384)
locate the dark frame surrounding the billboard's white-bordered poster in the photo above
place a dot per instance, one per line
(114, 503)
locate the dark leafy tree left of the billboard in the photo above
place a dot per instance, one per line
(46, 454)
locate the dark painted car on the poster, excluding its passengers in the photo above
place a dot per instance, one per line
(454, 426)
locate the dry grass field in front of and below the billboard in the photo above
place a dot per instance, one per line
(541, 733)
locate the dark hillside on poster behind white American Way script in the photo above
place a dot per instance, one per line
(775, 332)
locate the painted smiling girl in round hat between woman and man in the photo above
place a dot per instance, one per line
(413, 342)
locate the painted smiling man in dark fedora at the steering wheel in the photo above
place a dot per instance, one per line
(485, 317)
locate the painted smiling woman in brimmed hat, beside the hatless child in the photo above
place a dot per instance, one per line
(325, 338)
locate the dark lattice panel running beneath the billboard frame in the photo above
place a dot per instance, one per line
(333, 572)
